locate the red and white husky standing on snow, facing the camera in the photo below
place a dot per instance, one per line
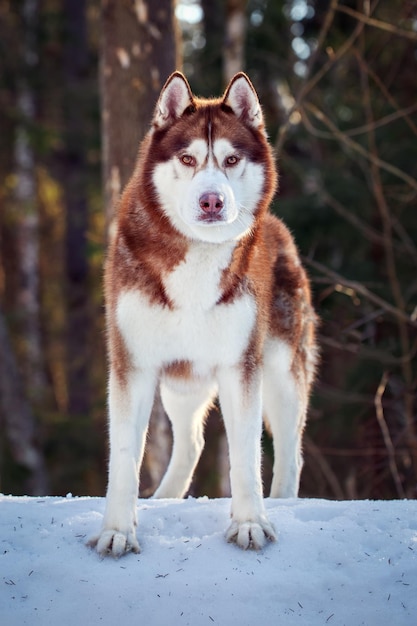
(206, 296)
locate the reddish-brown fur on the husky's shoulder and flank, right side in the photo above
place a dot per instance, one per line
(266, 264)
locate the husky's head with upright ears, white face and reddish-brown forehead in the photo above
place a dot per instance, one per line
(209, 160)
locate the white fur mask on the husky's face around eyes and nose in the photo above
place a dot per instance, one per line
(180, 188)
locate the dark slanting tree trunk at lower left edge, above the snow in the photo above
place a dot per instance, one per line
(19, 421)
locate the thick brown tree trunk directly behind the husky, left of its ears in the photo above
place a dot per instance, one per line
(139, 51)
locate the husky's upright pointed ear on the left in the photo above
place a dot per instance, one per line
(175, 98)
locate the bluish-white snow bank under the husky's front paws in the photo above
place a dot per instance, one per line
(337, 563)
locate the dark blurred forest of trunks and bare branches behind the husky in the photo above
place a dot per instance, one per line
(78, 83)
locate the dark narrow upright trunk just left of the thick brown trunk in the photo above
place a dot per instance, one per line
(75, 194)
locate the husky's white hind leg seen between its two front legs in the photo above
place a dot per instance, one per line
(187, 413)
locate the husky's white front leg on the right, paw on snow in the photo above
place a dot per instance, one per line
(241, 405)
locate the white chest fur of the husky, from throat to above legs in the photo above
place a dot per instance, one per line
(196, 327)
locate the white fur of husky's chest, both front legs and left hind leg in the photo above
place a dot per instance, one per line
(213, 337)
